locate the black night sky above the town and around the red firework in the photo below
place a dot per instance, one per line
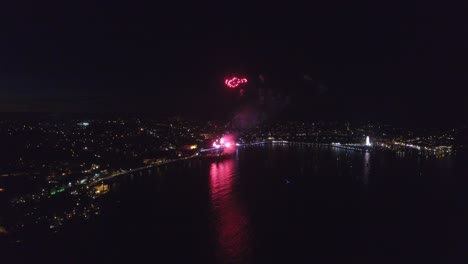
(397, 61)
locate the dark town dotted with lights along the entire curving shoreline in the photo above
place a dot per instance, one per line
(54, 160)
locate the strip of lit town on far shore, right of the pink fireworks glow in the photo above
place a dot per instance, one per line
(385, 136)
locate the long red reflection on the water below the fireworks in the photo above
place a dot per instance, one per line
(230, 221)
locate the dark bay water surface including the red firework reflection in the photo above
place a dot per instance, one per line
(278, 204)
